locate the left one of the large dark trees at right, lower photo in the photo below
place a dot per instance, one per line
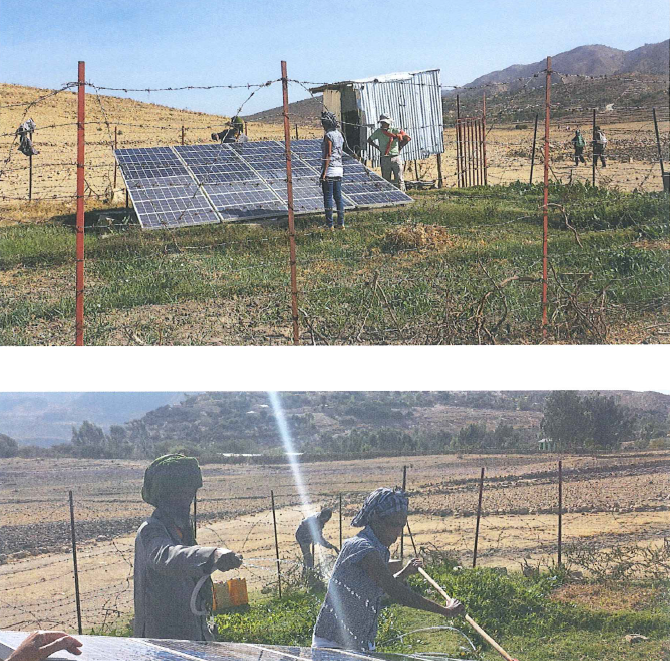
(565, 420)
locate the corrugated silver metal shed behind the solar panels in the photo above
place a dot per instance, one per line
(413, 99)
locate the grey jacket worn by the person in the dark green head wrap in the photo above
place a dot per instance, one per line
(165, 574)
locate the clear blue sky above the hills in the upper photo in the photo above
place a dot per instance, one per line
(146, 43)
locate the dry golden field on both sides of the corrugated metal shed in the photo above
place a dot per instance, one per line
(632, 149)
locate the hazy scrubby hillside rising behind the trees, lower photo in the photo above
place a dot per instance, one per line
(246, 420)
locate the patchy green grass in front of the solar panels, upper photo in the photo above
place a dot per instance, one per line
(608, 264)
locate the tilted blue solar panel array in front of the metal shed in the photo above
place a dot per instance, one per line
(197, 184)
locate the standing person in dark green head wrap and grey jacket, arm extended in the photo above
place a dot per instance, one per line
(168, 563)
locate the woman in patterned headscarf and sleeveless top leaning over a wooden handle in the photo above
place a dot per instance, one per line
(363, 572)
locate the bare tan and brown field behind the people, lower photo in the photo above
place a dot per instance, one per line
(607, 501)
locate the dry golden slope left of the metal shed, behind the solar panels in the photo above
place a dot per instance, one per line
(137, 124)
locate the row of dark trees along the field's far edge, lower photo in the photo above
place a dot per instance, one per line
(572, 421)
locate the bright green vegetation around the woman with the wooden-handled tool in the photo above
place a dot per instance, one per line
(519, 612)
